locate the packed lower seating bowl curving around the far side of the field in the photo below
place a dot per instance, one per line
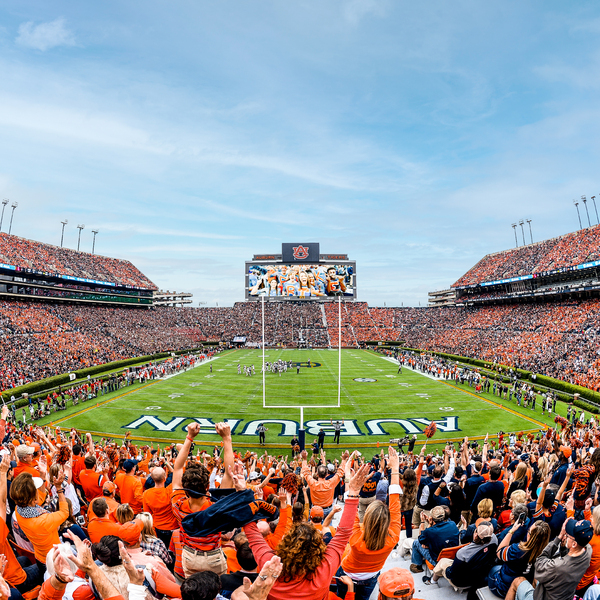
(42, 339)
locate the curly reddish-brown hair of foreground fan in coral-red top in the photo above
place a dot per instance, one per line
(301, 551)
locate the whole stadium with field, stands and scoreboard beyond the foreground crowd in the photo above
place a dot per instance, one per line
(506, 355)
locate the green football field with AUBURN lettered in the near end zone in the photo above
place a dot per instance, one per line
(160, 410)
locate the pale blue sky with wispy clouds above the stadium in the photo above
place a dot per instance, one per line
(195, 134)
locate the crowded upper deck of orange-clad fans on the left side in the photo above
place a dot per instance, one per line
(22, 255)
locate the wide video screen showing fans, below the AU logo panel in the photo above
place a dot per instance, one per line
(301, 281)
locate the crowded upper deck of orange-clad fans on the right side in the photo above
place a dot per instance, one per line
(570, 252)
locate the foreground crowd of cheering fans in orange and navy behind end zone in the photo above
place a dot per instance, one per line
(517, 514)
